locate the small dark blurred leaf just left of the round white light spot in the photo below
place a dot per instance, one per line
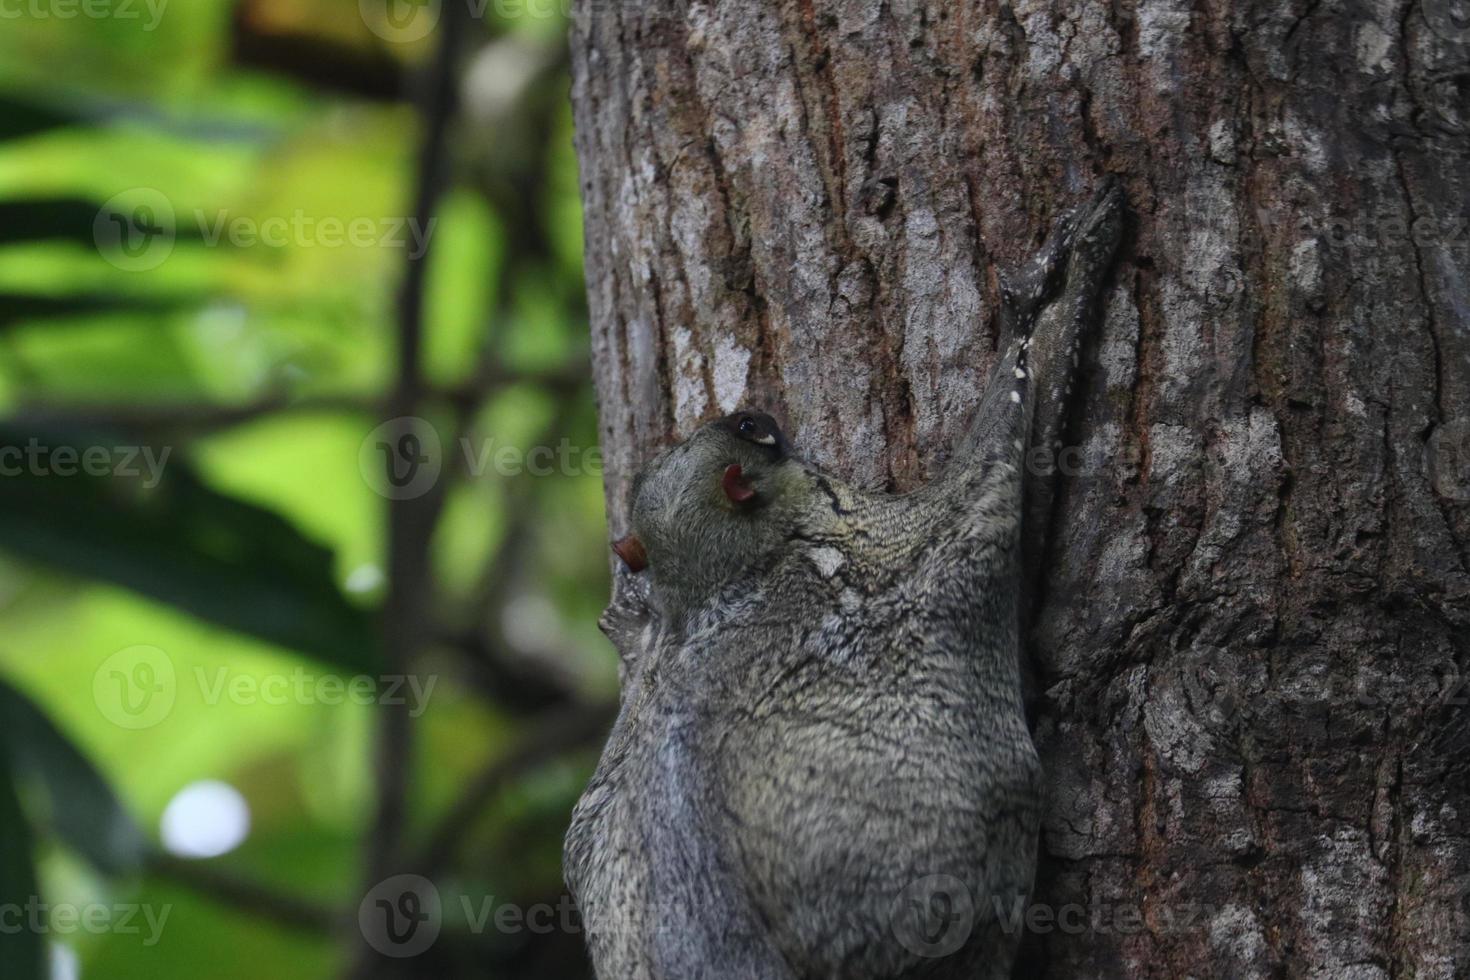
(80, 806)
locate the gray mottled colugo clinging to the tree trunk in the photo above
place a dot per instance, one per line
(821, 705)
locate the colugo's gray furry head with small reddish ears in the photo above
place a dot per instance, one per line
(711, 506)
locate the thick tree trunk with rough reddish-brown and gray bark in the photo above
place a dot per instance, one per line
(1252, 634)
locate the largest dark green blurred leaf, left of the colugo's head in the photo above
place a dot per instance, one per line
(145, 521)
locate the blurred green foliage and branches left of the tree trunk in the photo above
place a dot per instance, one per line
(302, 537)
